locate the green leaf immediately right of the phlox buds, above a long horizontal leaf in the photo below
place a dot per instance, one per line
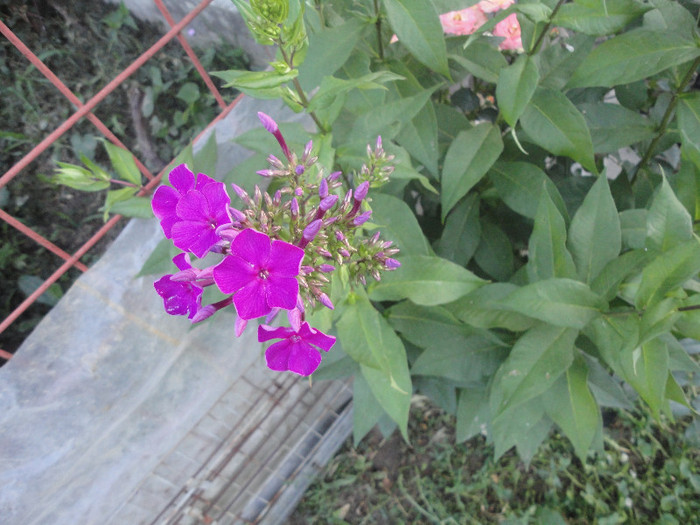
(398, 223)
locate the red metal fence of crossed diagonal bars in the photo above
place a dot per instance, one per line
(85, 111)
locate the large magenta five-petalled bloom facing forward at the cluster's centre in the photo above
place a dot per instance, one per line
(261, 273)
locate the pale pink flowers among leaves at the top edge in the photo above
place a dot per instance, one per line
(467, 21)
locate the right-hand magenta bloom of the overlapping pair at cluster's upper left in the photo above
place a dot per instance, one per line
(201, 212)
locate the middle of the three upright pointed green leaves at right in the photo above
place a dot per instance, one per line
(594, 235)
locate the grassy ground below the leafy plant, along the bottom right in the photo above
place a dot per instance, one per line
(648, 474)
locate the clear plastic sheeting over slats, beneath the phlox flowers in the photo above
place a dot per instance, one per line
(114, 412)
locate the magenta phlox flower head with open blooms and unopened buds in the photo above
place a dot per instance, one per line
(276, 253)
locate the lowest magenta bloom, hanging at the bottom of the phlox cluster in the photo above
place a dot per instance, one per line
(298, 351)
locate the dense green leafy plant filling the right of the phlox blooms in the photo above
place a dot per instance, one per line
(546, 210)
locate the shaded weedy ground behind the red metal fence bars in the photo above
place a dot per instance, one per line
(86, 43)
